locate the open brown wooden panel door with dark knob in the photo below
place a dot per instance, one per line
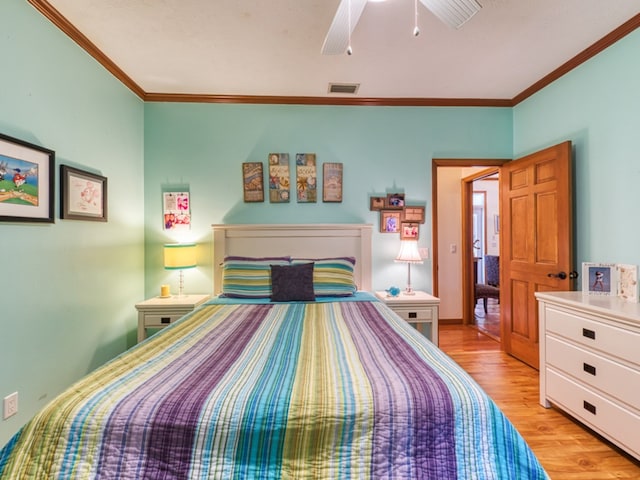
(536, 242)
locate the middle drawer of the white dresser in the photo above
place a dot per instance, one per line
(614, 379)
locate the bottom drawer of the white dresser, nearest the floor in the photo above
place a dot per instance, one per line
(610, 420)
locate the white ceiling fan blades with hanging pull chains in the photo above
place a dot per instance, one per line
(452, 12)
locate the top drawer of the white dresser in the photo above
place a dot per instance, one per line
(623, 344)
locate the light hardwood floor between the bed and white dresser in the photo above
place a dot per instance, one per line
(566, 449)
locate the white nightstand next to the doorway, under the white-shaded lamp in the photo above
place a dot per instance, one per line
(420, 310)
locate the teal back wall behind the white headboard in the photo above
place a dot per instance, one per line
(383, 149)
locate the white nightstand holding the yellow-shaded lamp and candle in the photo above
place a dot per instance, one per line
(159, 312)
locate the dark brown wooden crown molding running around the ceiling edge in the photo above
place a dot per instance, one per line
(46, 9)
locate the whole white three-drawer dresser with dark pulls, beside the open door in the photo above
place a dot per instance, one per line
(590, 362)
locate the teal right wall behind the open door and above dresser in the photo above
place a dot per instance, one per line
(597, 107)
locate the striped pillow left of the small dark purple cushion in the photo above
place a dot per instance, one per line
(249, 277)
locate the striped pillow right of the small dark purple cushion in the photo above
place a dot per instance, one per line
(332, 277)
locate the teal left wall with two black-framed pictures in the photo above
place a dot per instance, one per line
(68, 288)
